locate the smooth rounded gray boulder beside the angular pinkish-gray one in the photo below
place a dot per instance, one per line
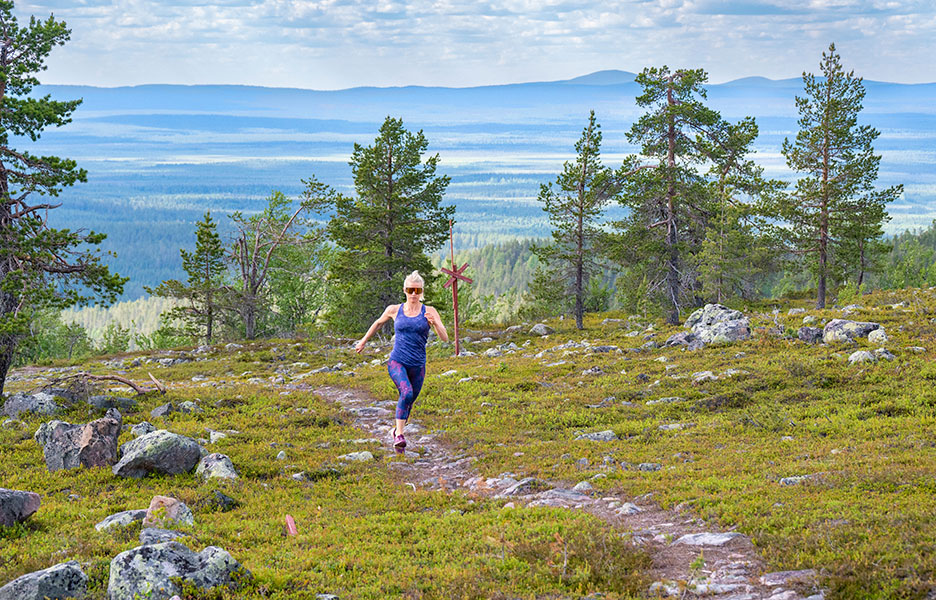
(158, 452)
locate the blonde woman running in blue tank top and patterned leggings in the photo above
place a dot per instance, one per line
(407, 366)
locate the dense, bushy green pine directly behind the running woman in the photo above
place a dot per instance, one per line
(386, 230)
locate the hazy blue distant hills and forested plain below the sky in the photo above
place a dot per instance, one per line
(160, 155)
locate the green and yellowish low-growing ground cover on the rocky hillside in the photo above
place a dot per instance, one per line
(858, 441)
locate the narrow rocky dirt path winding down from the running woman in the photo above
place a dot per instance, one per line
(732, 569)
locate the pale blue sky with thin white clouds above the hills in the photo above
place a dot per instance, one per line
(333, 44)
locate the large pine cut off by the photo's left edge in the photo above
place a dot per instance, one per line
(40, 267)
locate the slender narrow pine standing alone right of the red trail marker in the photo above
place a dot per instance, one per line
(575, 207)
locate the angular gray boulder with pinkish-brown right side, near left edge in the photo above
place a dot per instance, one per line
(93, 444)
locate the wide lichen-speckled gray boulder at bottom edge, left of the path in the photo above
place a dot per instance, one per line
(146, 571)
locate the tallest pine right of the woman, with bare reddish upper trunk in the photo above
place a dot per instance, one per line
(671, 203)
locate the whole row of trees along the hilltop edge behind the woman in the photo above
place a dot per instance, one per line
(701, 223)
